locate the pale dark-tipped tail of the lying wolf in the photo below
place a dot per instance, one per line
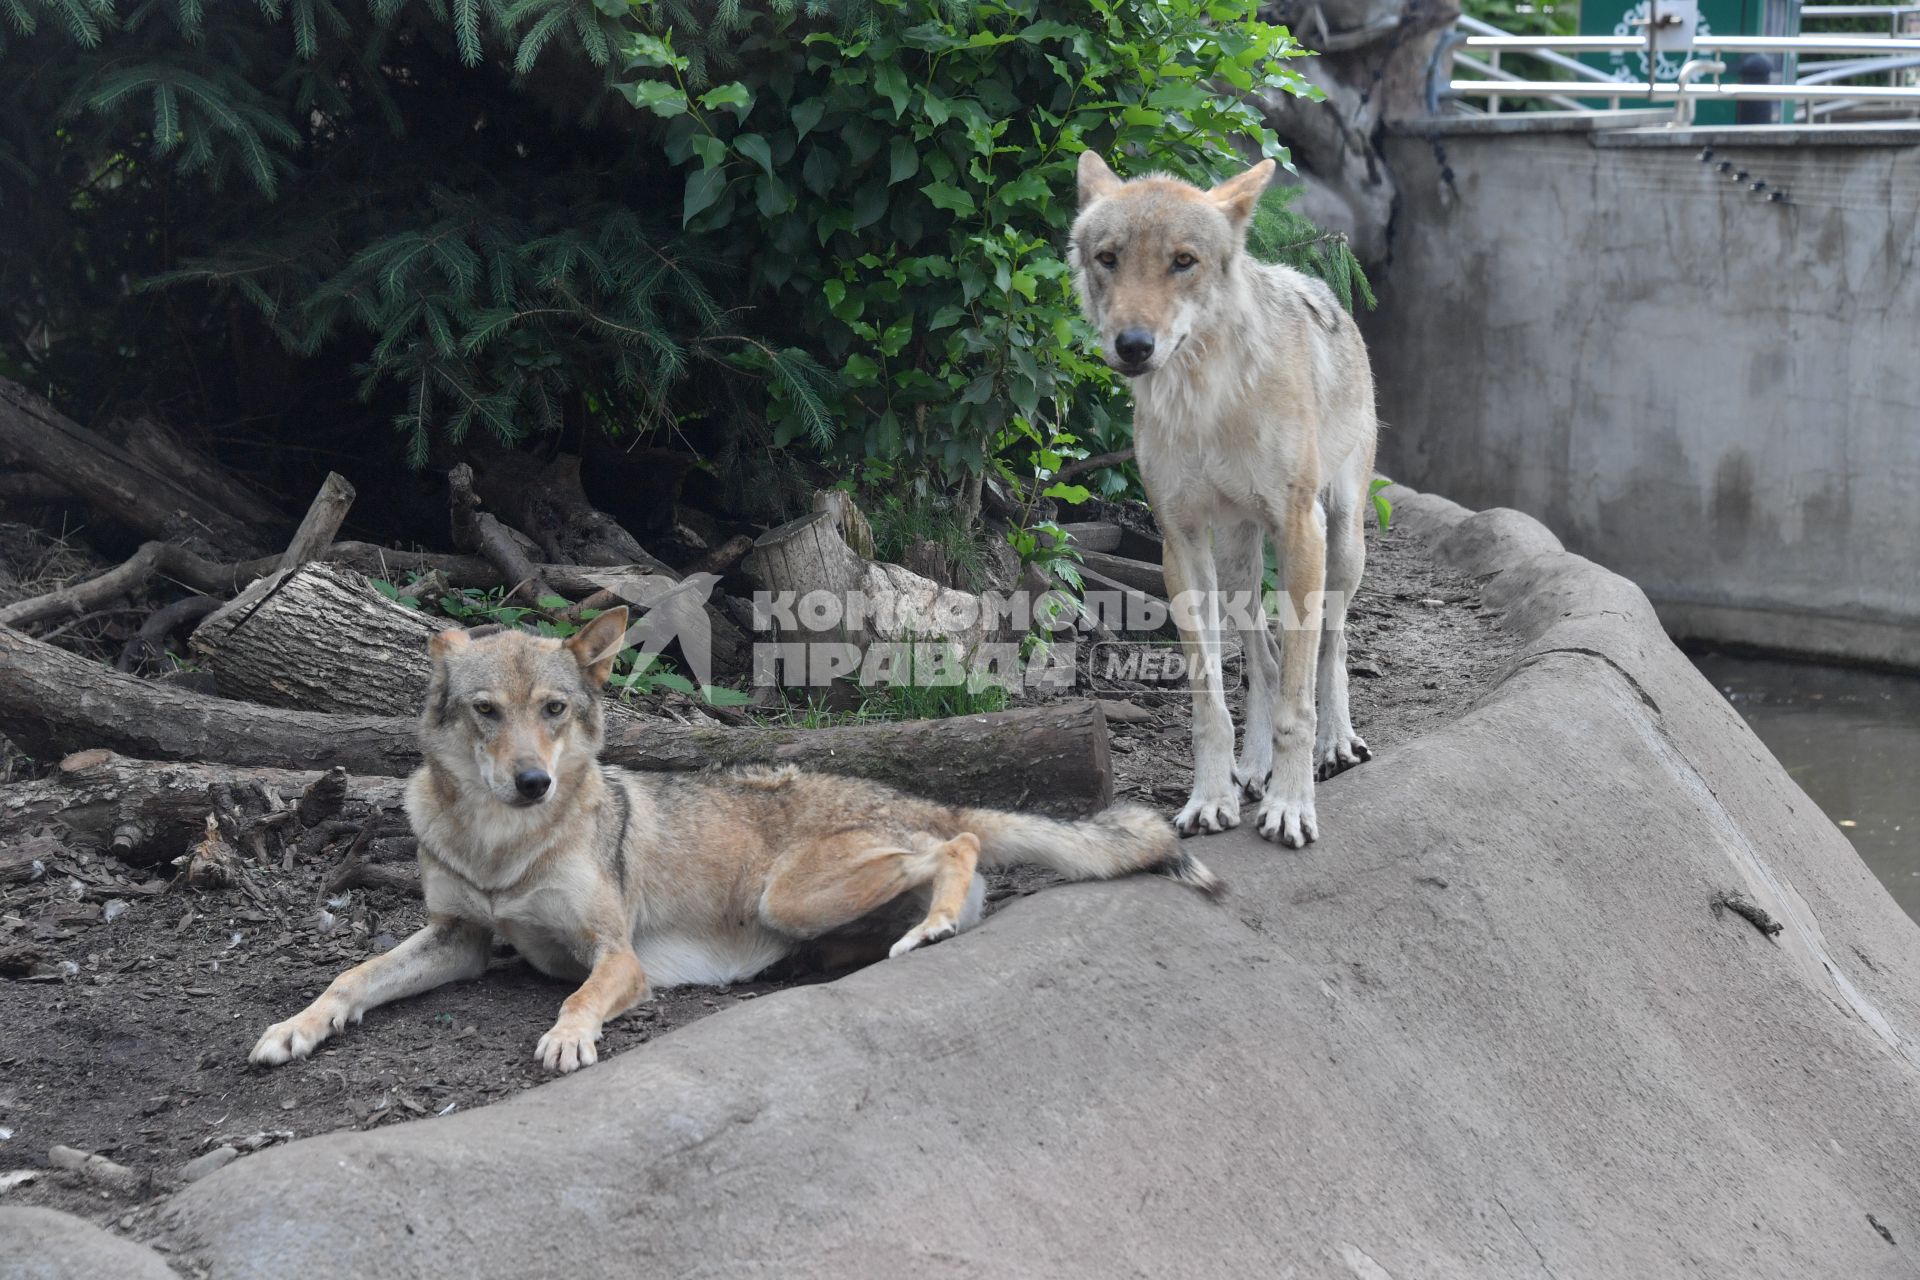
(1116, 841)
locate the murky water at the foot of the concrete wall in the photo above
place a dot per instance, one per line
(1852, 740)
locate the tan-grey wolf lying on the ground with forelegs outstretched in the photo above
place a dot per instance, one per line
(625, 882)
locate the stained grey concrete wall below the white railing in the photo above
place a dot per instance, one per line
(1712, 394)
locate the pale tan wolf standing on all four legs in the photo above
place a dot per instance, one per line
(1253, 419)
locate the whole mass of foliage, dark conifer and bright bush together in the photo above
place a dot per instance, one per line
(761, 231)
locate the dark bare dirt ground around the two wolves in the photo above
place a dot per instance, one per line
(130, 1001)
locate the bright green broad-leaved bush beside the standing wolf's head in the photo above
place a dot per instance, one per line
(901, 189)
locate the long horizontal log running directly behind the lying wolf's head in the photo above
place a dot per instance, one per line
(1051, 759)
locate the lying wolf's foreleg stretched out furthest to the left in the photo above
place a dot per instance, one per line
(446, 951)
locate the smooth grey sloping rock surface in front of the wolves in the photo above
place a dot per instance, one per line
(1491, 1024)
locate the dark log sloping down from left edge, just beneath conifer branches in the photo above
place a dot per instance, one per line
(112, 481)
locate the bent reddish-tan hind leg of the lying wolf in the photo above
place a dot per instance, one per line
(834, 882)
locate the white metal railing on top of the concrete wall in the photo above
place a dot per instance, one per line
(1477, 47)
